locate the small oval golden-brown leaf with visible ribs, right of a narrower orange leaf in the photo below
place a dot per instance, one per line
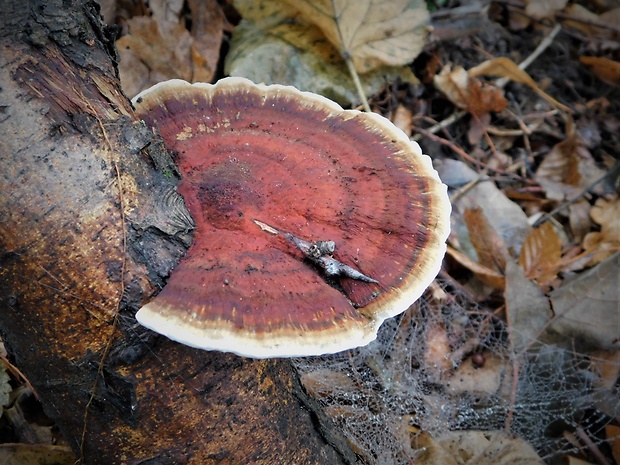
(541, 253)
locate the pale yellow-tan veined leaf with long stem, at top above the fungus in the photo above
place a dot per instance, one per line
(371, 32)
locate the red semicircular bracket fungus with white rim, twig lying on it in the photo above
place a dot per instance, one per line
(313, 224)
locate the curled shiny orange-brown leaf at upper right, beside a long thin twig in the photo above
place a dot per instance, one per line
(468, 93)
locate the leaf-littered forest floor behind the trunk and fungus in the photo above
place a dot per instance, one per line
(518, 106)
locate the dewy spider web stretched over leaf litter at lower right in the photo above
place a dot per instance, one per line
(447, 366)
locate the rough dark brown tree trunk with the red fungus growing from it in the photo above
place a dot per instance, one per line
(90, 227)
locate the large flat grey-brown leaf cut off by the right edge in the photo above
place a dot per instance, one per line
(586, 308)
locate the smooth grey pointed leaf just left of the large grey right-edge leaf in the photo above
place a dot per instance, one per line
(527, 307)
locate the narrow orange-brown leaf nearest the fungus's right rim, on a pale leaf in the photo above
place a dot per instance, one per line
(491, 251)
